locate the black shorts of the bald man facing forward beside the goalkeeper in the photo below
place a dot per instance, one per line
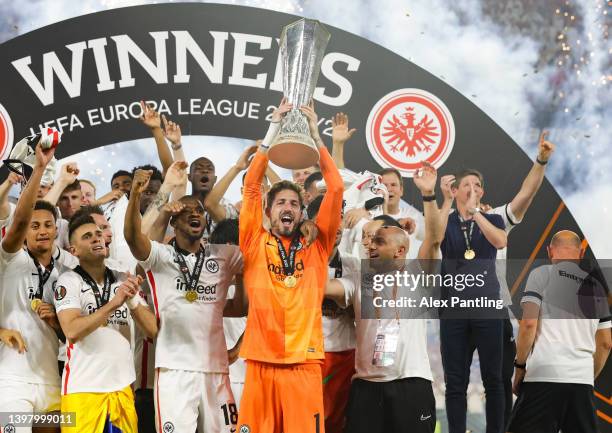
(403, 405)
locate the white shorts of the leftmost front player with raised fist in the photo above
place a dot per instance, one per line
(26, 397)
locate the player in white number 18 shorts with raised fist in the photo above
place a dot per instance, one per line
(189, 283)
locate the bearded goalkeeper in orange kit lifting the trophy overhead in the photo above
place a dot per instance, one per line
(285, 280)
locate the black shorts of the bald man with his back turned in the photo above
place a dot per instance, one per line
(547, 407)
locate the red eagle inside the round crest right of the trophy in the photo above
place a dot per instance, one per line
(410, 137)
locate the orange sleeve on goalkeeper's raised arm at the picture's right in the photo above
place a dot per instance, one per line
(329, 217)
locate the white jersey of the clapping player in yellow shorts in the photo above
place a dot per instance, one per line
(102, 361)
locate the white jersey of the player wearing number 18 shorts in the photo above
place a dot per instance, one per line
(190, 334)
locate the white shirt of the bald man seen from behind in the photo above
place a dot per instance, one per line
(564, 347)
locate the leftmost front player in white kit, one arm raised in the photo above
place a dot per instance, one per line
(29, 380)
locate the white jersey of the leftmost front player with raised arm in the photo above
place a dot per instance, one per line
(18, 285)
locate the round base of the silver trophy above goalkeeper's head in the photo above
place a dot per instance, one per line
(293, 153)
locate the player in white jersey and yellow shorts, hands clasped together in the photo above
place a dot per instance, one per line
(92, 303)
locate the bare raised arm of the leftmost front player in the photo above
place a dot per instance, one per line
(16, 233)
